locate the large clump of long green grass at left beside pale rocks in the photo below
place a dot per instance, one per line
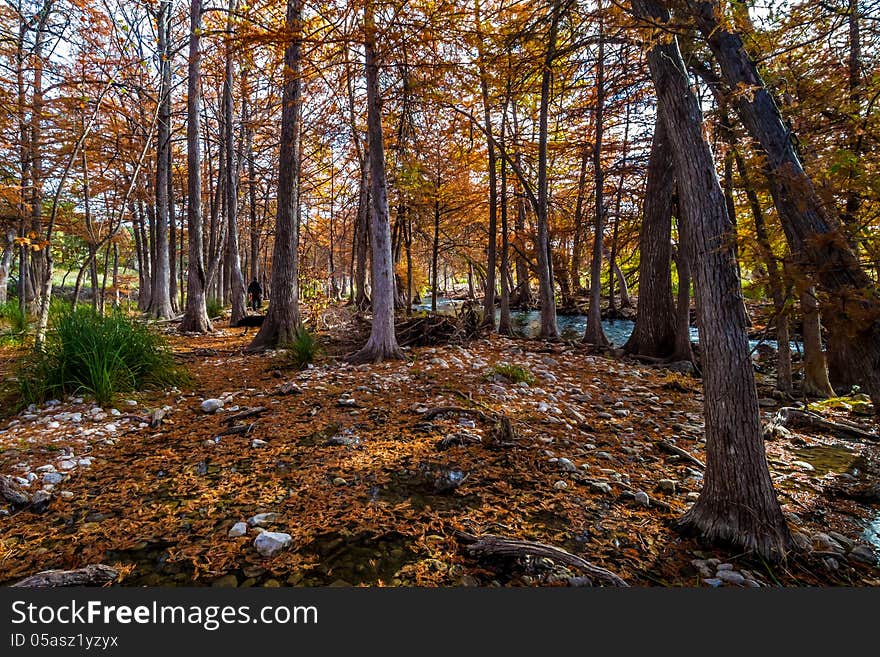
(102, 356)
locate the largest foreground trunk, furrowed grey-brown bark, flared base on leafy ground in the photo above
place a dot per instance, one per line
(737, 503)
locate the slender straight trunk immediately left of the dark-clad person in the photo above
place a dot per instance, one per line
(235, 278)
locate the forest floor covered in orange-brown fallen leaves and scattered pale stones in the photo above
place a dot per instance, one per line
(348, 460)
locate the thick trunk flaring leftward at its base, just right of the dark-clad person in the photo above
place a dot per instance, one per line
(282, 323)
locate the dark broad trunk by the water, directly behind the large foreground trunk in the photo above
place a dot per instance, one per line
(654, 331)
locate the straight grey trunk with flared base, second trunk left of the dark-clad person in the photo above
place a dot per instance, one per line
(195, 316)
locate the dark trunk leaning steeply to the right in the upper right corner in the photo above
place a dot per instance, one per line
(820, 250)
